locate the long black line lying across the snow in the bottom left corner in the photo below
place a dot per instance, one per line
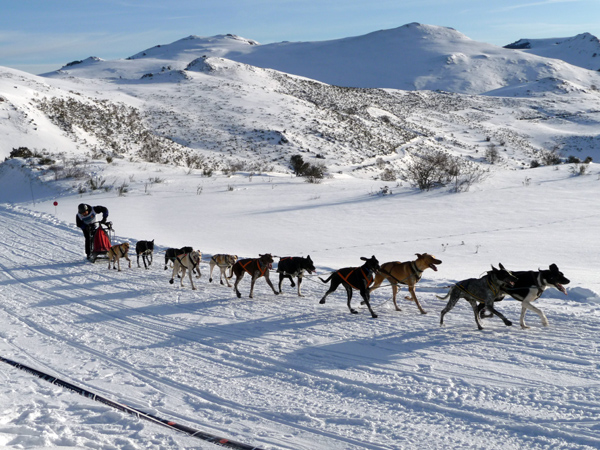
(223, 442)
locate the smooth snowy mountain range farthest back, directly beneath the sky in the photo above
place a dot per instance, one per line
(411, 57)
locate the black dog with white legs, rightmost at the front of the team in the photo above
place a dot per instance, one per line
(530, 285)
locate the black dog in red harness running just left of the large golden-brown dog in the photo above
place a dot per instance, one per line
(354, 277)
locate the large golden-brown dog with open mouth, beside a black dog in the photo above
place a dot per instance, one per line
(409, 273)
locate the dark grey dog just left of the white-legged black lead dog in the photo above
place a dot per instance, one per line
(485, 290)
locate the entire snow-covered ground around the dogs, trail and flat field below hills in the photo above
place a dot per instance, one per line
(287, 372)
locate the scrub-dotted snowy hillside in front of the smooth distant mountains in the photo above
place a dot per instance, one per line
(219, 112)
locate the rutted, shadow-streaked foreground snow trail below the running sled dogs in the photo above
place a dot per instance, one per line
(279, 371)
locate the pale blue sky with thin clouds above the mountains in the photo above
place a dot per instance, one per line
(42, 35)
